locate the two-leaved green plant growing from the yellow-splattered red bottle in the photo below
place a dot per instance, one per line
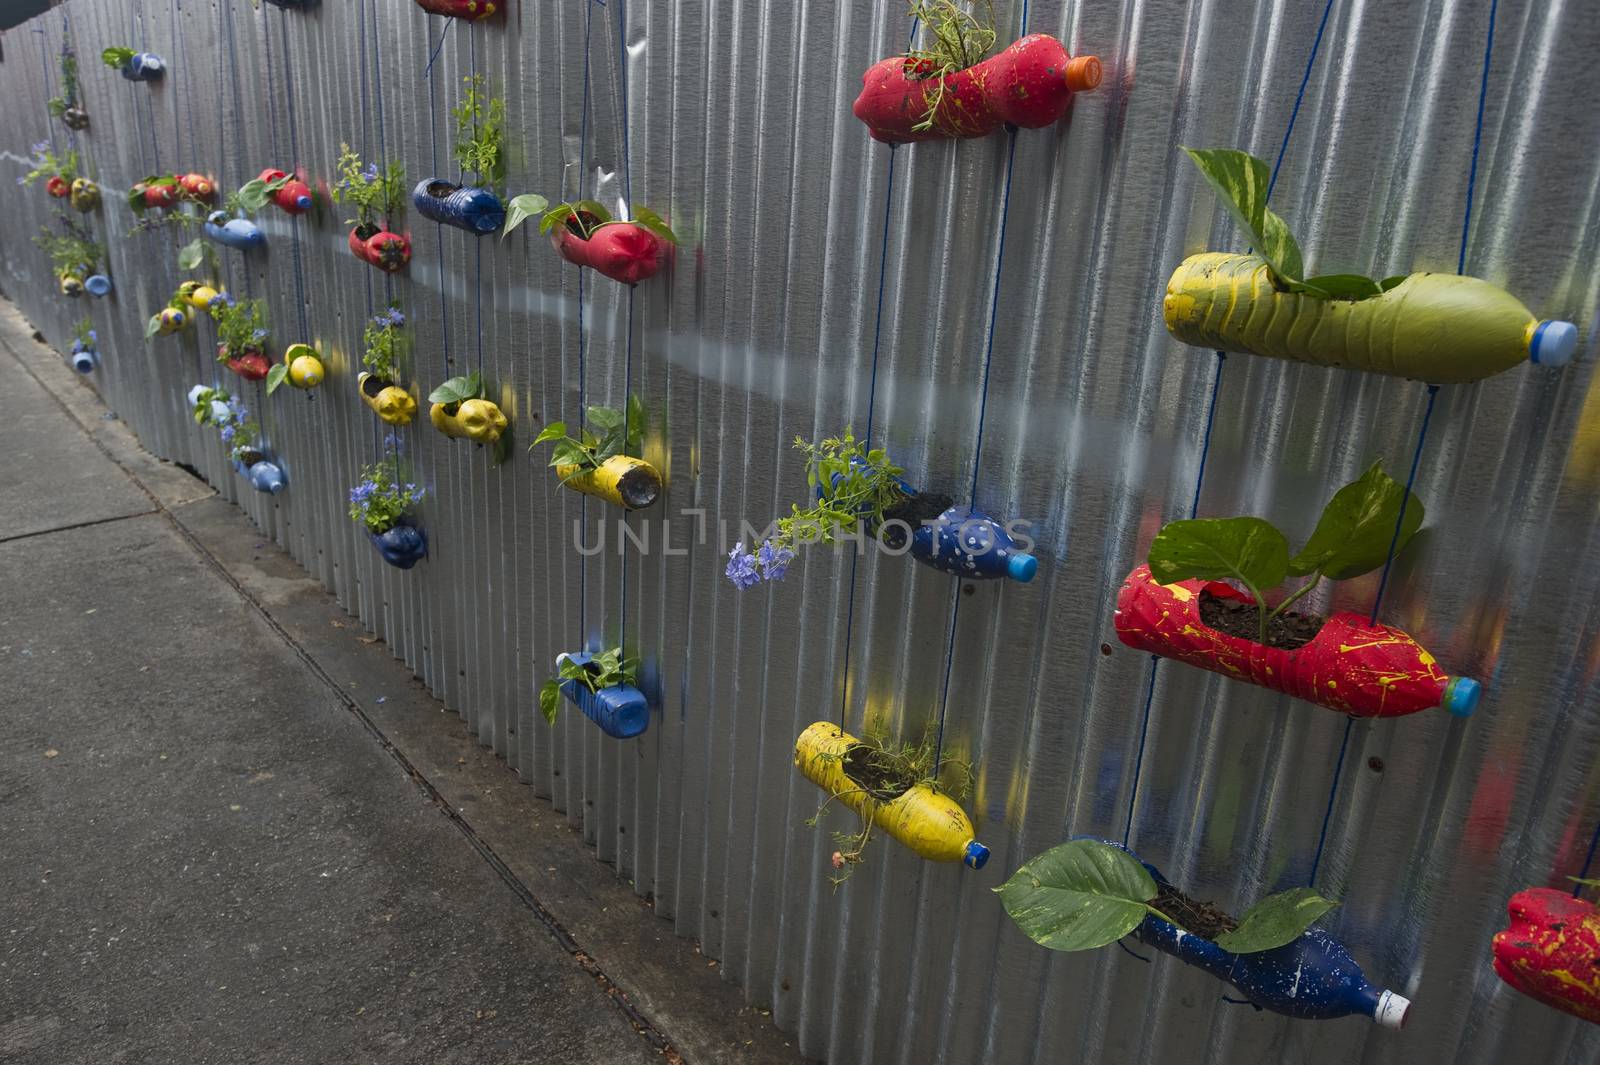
(1353, 536)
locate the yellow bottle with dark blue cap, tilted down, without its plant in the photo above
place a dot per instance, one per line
(929, 823)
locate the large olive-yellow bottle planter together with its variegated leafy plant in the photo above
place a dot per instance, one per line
(1444, 329)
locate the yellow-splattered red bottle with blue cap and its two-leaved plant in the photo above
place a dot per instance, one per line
(1178, 607)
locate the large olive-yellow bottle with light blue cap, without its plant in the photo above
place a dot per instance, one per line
(1431, 327)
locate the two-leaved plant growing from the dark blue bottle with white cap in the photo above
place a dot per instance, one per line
(1087, 895)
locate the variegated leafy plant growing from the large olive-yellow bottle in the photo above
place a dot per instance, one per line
(1242, 181)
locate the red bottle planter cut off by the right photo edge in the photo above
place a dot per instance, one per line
(1551, 952)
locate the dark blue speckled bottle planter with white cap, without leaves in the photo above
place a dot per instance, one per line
(1313, 978)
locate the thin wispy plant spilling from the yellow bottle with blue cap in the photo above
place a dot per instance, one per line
(884, 770)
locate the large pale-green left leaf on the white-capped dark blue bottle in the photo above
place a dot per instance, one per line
(1079, 896)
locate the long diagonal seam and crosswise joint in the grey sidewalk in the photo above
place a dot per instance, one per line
(638, 1021)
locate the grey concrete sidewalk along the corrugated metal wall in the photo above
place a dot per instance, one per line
(212, 853)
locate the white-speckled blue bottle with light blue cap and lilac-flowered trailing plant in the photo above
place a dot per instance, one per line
(860, 489)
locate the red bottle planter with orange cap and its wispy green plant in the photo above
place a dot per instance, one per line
(951, 89)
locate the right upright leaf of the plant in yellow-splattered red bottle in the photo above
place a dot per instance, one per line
(1358, 527)
